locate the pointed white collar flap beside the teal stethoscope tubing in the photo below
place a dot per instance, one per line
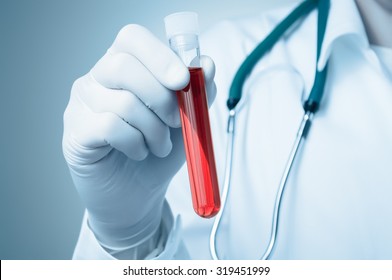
(344, 21)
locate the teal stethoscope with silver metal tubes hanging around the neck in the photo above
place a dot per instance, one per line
(310, 106)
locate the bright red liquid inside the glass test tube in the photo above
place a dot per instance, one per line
(199, 151)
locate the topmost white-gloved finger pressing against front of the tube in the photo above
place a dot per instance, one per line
(167, 68)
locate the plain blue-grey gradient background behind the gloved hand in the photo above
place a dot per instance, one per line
(45, 45)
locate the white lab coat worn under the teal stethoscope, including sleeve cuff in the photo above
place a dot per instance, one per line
(338, 199)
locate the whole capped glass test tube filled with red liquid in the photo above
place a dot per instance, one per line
(182, 32)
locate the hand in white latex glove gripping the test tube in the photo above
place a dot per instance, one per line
(122, 140)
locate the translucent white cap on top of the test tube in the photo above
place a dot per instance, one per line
(181, 23)
